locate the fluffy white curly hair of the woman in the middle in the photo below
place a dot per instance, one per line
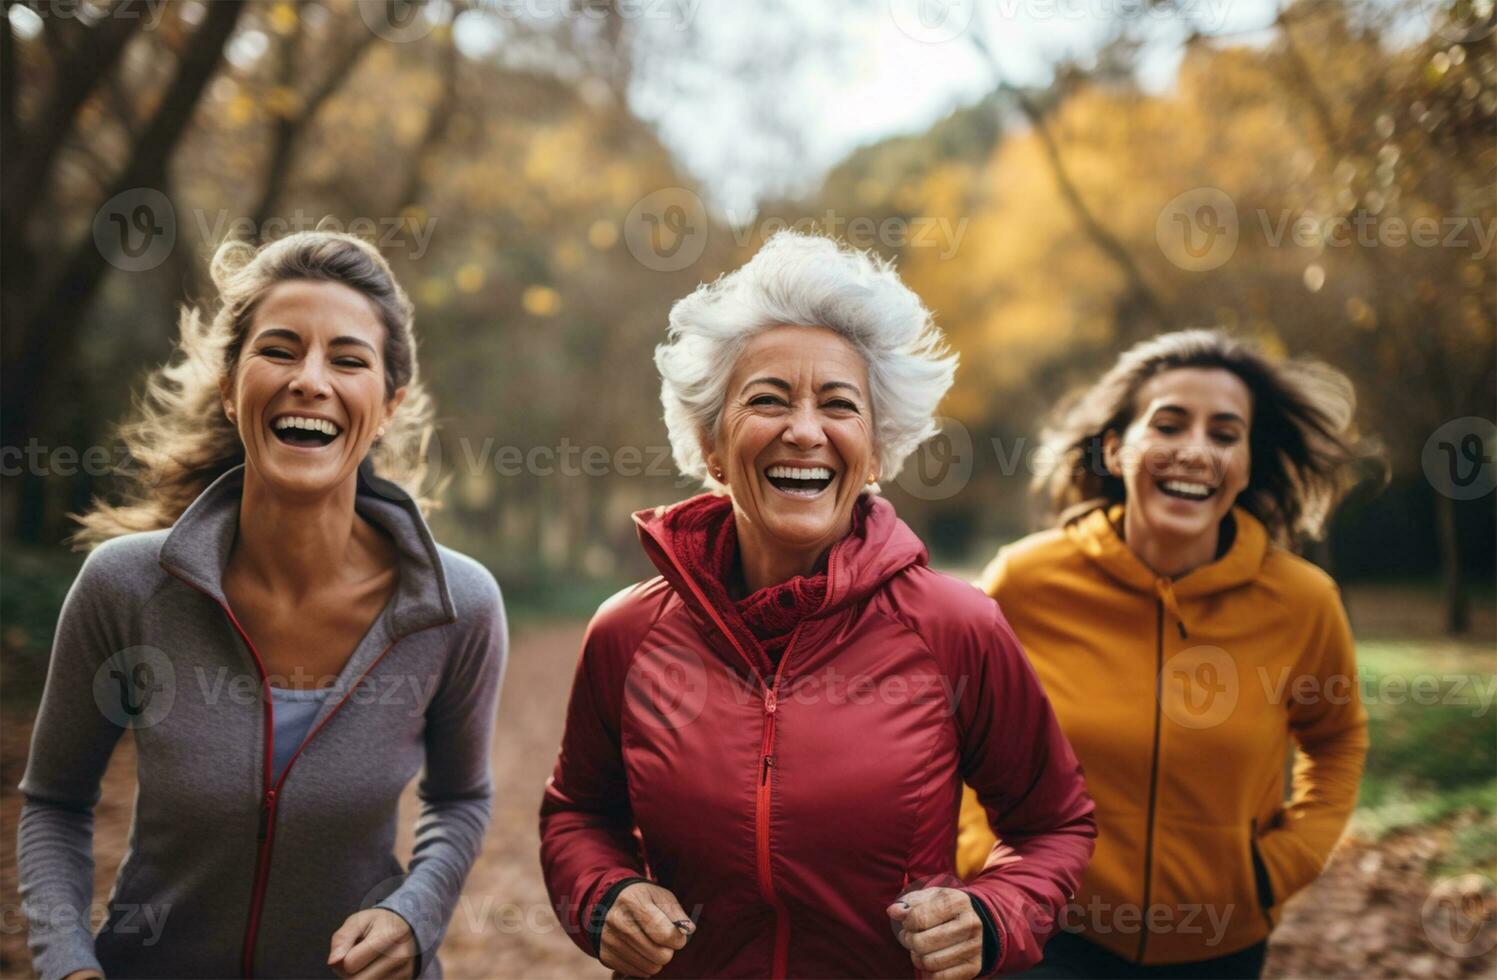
(806, 281)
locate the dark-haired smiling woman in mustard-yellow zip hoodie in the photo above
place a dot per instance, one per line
(1186, 650)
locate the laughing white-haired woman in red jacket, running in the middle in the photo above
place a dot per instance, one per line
(766, 744)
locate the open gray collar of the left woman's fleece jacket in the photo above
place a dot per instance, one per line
(198, 547)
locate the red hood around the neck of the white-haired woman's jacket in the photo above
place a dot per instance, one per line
(879, 547)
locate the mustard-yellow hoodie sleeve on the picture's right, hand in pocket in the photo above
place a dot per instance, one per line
(1330, 732)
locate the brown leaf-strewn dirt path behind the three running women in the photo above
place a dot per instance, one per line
(1362, 919)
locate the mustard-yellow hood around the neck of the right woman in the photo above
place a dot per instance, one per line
(1097, 535)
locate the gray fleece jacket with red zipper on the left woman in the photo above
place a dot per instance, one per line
(227, 873)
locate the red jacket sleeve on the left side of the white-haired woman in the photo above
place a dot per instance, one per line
(588, 828)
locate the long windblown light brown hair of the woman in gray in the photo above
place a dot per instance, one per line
(179, 438)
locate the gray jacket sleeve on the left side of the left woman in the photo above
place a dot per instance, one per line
(71, 746)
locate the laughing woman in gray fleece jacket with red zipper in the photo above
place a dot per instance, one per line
(273, 620)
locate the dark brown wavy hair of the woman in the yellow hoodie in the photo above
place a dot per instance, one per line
(1302, 439)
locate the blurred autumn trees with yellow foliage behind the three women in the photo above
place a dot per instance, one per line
(501, 161)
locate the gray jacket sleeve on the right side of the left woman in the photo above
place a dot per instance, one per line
(457, 789)
